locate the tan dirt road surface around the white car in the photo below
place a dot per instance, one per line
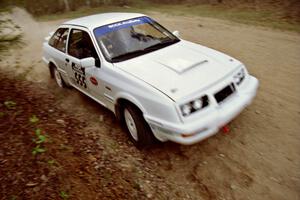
(260, 157)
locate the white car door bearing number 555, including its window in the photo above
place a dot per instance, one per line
(80, 46)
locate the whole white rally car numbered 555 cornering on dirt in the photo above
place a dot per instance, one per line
(162, 87)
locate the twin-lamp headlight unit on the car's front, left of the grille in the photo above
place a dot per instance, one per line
(193, 106)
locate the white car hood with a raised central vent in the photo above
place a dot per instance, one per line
(180, 69)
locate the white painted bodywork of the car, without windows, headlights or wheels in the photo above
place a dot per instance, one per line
(159, 82)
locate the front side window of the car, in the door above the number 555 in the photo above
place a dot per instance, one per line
(81, 45)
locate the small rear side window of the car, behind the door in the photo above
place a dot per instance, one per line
(59, 39)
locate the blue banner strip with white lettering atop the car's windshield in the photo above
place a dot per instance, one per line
(121, 25)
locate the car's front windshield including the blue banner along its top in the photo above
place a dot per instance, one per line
(130, 38)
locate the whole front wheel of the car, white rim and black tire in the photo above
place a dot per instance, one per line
(138, 130)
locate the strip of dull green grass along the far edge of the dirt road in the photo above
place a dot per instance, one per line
(263, 18)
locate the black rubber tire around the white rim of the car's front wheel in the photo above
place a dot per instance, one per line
(145, 137)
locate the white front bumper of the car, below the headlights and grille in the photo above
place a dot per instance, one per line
(205, 126)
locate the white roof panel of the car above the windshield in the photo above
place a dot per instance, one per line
(94, 21)
